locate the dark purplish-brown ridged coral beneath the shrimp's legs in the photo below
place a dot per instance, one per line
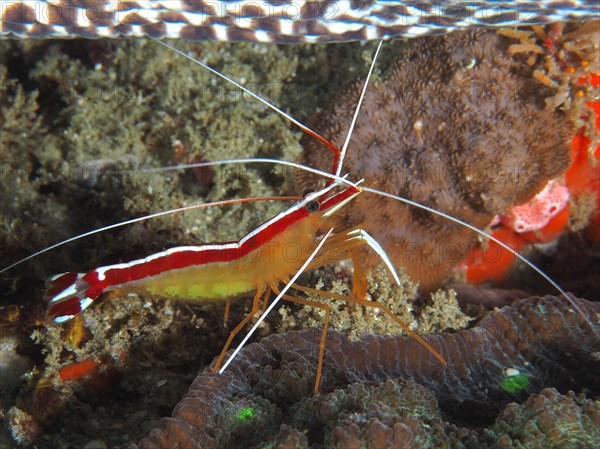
(542, 338)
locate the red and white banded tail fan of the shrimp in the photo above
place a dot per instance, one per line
(69, 294)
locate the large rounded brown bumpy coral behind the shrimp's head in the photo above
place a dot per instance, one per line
(459, 126)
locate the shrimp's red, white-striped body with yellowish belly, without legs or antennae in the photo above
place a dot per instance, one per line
(210, 272)
